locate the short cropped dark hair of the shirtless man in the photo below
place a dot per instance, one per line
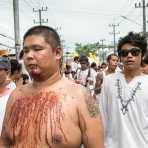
(50, 35)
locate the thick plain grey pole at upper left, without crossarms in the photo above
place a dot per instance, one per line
(16, 26)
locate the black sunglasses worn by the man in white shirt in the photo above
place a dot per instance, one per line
(134, 52)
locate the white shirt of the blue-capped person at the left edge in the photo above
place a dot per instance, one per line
(3, 101)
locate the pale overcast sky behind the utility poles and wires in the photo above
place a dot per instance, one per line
(82, 21)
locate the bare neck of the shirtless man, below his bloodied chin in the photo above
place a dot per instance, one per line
(48, 82)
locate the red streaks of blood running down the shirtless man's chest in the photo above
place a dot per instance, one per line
(34, 112)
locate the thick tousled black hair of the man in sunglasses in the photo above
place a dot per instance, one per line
(135, 39)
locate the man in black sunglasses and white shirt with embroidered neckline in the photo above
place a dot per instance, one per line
(124, 98)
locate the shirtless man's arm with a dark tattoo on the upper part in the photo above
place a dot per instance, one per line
(90, 122)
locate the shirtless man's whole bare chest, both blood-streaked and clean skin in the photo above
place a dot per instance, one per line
(43, 117)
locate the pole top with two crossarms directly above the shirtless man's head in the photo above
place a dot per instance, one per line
(40, 16)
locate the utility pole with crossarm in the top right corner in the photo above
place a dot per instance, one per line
(143, 6)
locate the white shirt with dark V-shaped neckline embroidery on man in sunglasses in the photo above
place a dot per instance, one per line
(124, 110)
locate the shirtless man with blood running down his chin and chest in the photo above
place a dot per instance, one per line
(51, 112)
